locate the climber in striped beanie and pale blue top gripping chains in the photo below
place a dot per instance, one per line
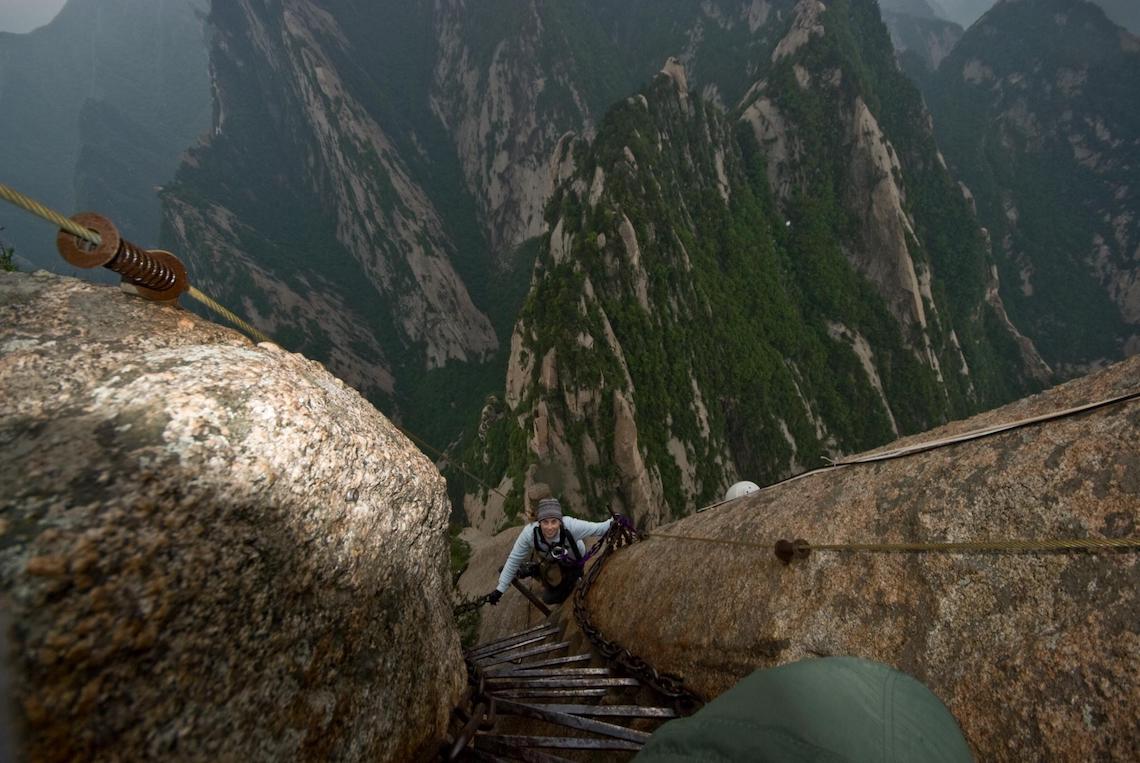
(558, 543)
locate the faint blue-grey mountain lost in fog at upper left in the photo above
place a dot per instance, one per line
(99, 109)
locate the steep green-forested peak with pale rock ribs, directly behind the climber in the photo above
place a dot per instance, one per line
(740, 295)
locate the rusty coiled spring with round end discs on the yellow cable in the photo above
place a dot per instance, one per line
(156, 274)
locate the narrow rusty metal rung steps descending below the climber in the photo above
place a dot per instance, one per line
(525, 699)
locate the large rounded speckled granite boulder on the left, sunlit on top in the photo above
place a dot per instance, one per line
(209, 550)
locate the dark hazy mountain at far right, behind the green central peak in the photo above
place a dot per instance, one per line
(1027, 112)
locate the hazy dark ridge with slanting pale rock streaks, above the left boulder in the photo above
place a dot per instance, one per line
(303, 189)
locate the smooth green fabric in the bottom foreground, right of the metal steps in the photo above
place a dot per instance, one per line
(835, 709)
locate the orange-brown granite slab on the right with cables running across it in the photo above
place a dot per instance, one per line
(1033, 653)
